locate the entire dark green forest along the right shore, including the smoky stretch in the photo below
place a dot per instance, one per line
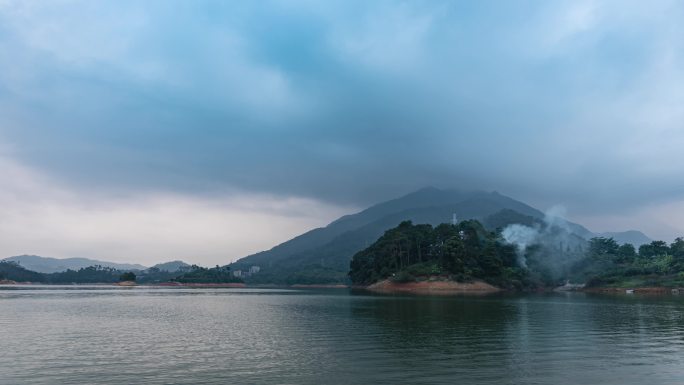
(467, 251)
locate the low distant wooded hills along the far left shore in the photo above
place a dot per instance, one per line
(100, 274)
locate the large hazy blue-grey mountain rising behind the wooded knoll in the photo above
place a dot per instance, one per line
(323, 254)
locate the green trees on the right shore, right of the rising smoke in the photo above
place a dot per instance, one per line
(608, 263)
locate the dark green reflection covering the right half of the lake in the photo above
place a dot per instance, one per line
(549, 338)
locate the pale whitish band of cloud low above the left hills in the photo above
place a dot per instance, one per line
(41, 217)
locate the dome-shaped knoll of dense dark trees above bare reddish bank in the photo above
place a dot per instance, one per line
(461, 252)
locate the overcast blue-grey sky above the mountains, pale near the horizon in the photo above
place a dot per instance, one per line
(144, 131)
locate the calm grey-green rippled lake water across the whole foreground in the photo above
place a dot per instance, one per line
(102, 335)
